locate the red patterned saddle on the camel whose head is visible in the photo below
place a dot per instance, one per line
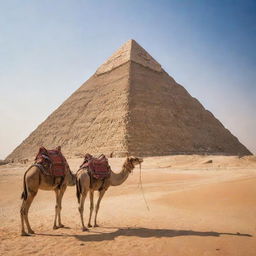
(97, 167)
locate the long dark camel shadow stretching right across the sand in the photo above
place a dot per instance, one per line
(144, 233)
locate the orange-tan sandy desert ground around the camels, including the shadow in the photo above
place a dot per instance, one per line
(196, 208)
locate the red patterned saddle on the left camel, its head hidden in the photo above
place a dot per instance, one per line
(52, 161)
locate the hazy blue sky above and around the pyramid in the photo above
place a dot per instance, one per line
(49, 48)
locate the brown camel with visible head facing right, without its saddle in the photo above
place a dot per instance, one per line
(83, 187)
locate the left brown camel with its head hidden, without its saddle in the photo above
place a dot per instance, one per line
(35, 179)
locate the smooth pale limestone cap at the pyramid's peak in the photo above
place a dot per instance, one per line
(130, 51)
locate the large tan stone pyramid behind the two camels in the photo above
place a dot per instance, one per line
(131, 105)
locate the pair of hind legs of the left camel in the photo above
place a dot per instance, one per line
(24, 212)
